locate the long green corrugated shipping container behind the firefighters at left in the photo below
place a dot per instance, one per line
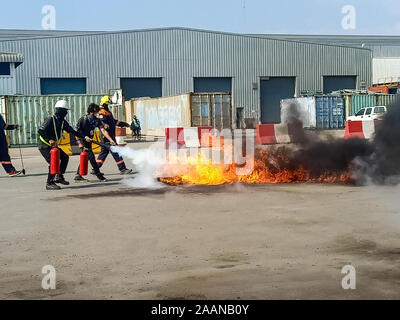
(30, 111)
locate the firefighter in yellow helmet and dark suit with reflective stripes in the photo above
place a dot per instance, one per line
(110, 124)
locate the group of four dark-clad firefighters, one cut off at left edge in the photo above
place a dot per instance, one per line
(50, 134)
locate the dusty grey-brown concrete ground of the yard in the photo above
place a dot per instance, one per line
(109, 241)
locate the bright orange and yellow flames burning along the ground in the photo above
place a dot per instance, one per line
(269, 167)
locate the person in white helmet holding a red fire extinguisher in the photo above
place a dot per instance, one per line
(49, 137)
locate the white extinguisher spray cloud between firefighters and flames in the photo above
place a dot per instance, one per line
(147, 162)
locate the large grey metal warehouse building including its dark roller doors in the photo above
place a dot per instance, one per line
(259, 71)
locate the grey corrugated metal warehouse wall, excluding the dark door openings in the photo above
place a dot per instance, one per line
(177, 55)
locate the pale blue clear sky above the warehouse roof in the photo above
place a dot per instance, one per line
(240, 16)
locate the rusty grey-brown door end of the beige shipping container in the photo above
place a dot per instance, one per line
(211, 109)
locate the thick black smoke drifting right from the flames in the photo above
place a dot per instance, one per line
(377, 160)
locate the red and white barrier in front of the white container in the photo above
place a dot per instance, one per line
(276, 133)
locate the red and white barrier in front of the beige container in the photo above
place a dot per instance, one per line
(193, 137)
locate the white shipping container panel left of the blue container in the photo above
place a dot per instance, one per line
(305, 111)
